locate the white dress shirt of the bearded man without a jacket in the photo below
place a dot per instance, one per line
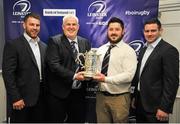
(121, 70)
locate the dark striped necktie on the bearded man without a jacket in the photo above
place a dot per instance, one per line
(105, 62)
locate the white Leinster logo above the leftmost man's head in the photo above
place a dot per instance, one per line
(21, 8)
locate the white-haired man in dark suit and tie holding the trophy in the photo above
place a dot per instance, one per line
(66, 98)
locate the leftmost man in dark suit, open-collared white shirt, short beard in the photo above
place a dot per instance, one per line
(23, 73)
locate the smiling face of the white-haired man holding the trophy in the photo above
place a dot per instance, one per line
(70, 27)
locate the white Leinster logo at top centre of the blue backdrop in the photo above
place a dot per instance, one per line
(97, 9)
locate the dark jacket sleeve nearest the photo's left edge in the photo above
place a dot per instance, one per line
(9, 68)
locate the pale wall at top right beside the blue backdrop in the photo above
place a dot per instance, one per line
(169, 12)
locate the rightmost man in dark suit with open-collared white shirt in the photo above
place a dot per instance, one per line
(157, 77)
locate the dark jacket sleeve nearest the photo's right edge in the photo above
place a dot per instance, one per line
(170, 79)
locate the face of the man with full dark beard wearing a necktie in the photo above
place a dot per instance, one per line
(115, 32)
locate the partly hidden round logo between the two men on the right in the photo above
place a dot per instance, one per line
(136, 45)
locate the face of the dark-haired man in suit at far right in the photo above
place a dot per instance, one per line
(152, 32)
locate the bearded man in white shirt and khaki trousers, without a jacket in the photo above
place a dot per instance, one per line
(117, 71)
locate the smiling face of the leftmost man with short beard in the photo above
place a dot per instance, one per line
(32, 27)
